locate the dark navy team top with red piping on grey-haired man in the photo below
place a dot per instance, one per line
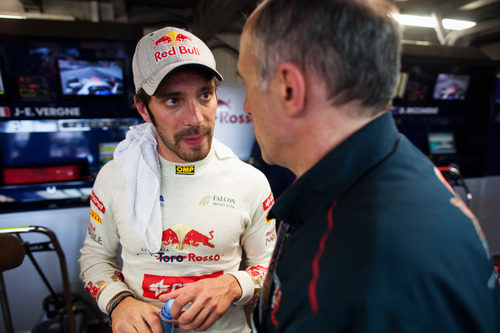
(376, 242)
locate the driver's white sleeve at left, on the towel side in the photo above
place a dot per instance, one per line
(99, 268)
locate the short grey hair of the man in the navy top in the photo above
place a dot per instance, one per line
(353, 46)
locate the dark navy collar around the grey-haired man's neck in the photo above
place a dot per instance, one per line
(338, 170)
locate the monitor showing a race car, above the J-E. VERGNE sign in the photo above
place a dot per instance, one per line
(82, 77)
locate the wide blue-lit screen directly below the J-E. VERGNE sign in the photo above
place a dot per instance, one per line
(45, 143)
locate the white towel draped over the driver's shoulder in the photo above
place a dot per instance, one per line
(137, 156)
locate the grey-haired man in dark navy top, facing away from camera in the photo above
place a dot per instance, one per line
(371, 237)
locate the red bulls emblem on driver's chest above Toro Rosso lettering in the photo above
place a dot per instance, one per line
(181, 236)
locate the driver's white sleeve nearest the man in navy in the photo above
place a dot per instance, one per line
(257, 241)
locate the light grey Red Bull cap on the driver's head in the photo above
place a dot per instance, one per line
(160, 52)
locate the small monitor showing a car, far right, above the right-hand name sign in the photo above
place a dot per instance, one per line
(451, 86)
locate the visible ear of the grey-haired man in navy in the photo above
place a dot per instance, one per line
(292, 87)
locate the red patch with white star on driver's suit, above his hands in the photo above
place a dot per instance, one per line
(155, 285)
